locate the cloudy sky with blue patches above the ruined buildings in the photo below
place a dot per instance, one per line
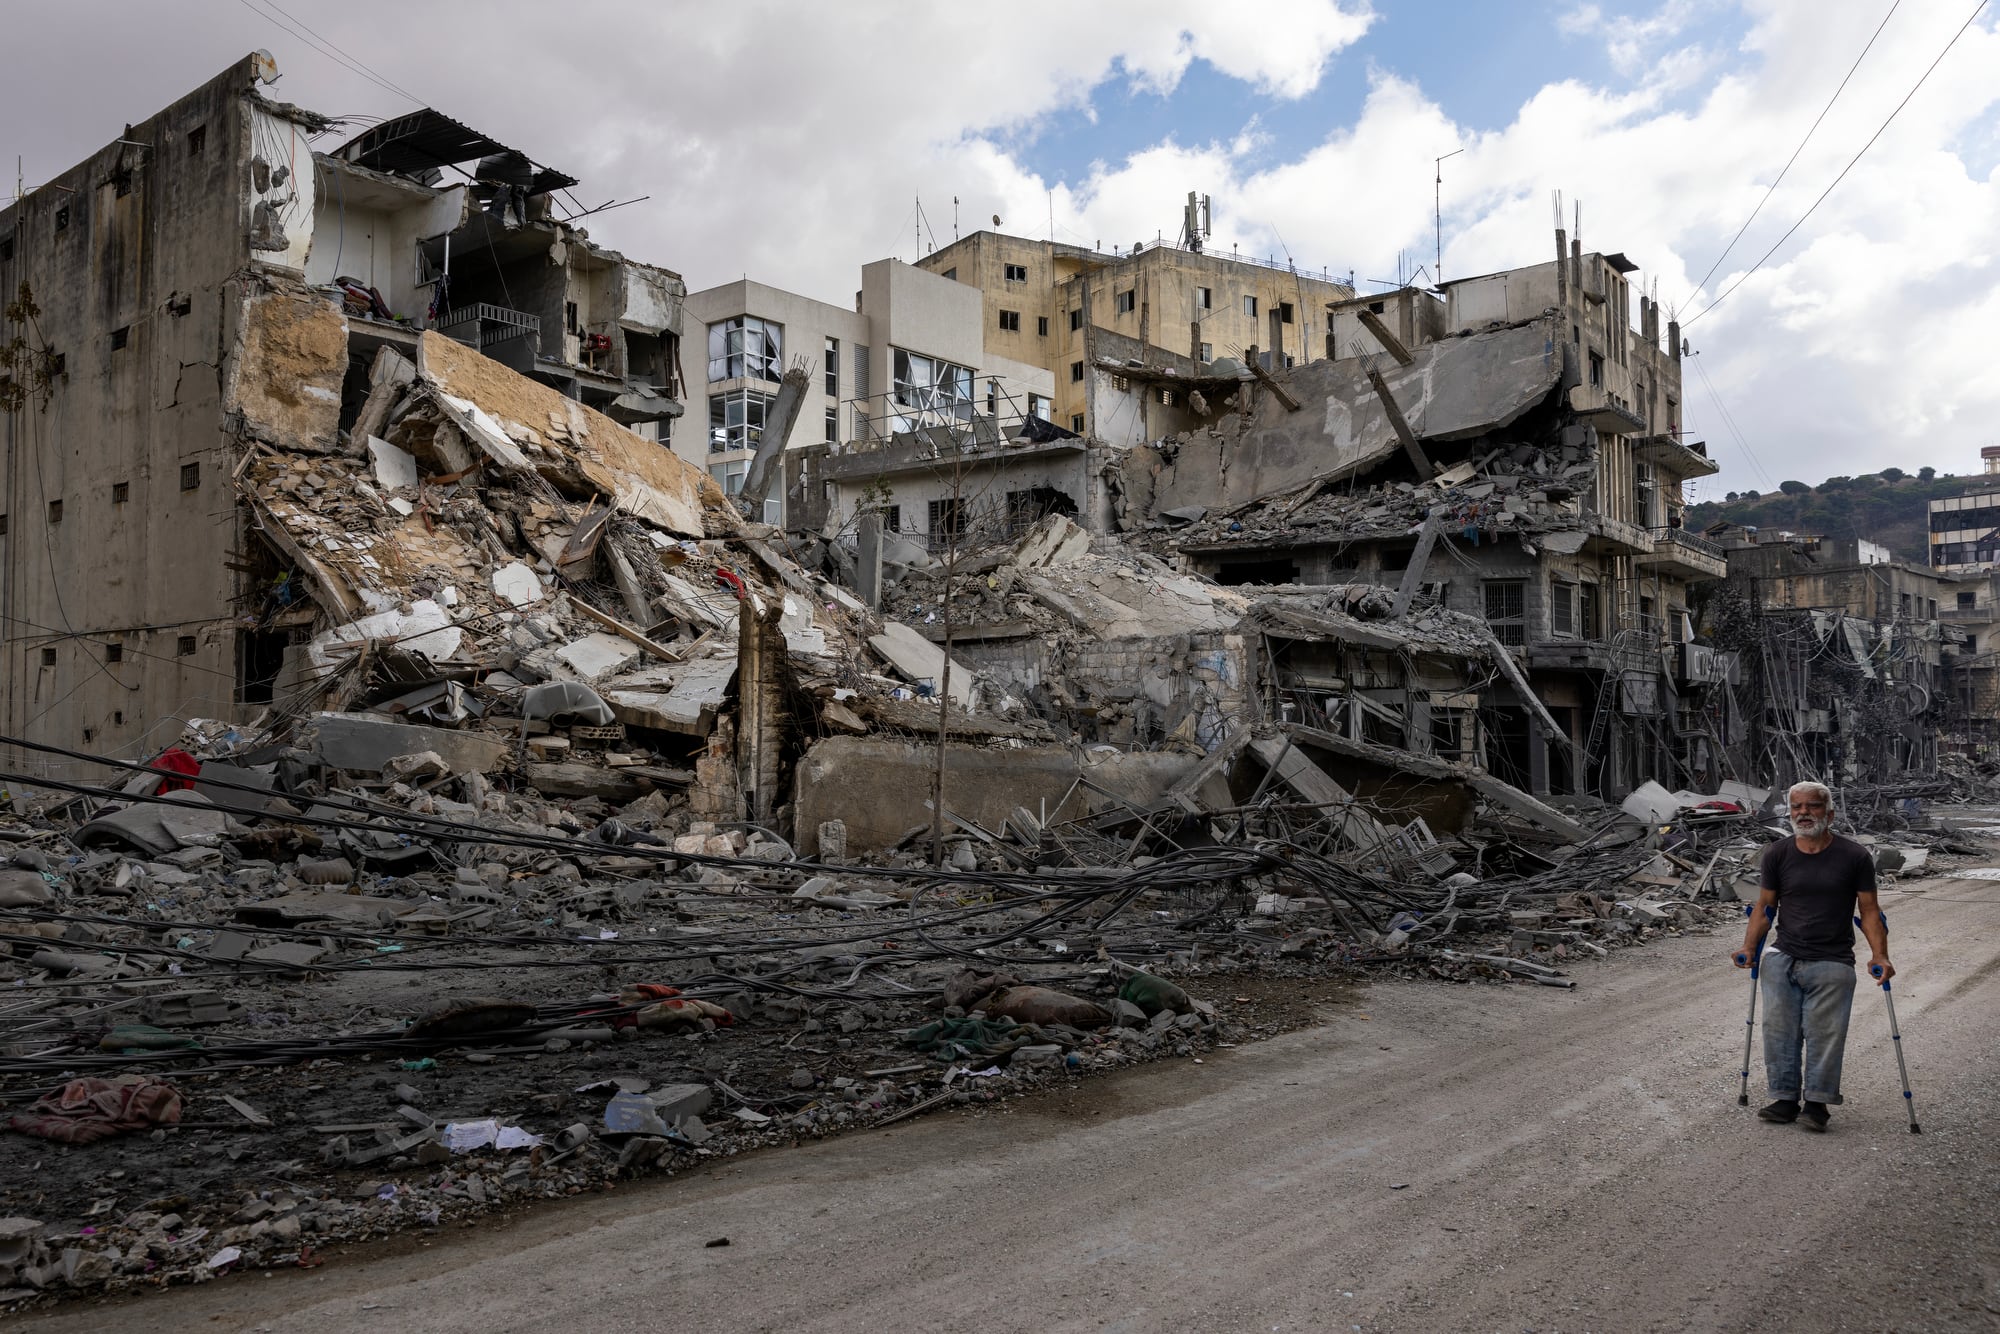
(793, 143)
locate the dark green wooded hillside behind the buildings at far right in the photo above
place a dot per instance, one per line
(1889, 509)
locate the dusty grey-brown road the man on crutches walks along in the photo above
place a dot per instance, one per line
(1431, 1159)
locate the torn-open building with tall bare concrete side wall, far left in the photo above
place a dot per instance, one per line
(213, 285)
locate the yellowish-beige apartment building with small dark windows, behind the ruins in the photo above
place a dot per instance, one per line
(1075, 311)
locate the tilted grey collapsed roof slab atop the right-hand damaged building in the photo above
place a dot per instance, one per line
(1451, 391)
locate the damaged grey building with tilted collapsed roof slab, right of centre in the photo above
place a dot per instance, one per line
(1509, 451)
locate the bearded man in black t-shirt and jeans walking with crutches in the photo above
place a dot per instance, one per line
(1817, 883)
